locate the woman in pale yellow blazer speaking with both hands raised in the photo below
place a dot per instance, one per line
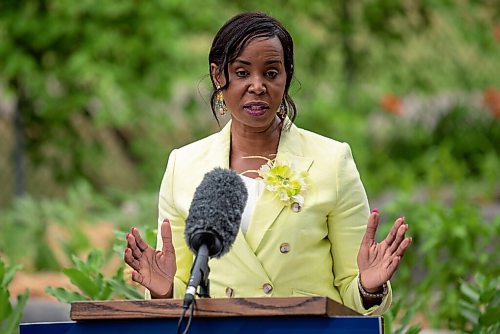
(316, 243)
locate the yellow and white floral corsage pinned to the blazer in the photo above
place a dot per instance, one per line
(285, 181)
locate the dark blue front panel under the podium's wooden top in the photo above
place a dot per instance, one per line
(236, 325)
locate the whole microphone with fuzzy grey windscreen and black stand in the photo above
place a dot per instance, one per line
(212, 224)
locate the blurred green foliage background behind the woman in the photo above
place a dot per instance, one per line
(105, 89)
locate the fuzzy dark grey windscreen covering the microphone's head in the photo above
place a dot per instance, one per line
(216, 209)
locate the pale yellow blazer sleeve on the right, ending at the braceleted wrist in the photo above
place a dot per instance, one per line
(346, 227)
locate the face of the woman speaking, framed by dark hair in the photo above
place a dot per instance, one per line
(257, 81)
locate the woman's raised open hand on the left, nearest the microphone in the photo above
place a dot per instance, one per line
(153, 269)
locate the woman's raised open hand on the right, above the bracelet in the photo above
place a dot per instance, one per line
(377, 262)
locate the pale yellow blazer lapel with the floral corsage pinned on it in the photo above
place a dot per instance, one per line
(268, 206)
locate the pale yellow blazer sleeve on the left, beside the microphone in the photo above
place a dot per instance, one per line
(167, 209)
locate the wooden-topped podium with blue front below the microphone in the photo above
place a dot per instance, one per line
(292, 315)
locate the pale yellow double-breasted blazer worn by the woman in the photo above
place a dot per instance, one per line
(323, 238)
